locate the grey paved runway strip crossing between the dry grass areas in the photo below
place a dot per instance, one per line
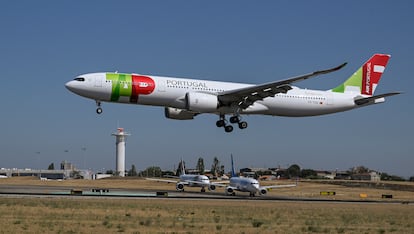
(117, 193)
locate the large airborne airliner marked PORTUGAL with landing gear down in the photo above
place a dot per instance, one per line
(185, 98)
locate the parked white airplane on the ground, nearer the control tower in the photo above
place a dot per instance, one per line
(189, 180)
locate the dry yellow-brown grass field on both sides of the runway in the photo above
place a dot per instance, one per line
(89, 215)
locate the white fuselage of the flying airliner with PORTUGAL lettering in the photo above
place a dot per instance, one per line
(171, 92)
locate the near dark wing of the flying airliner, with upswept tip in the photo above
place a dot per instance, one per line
(245, 97)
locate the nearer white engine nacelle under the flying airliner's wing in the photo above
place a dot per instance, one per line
(201, 102)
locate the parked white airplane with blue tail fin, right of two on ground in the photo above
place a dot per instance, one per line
(247, 184)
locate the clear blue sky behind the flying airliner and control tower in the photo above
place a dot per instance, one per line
(44, 44)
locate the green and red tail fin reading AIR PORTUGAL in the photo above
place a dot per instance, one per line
(365, 80)
